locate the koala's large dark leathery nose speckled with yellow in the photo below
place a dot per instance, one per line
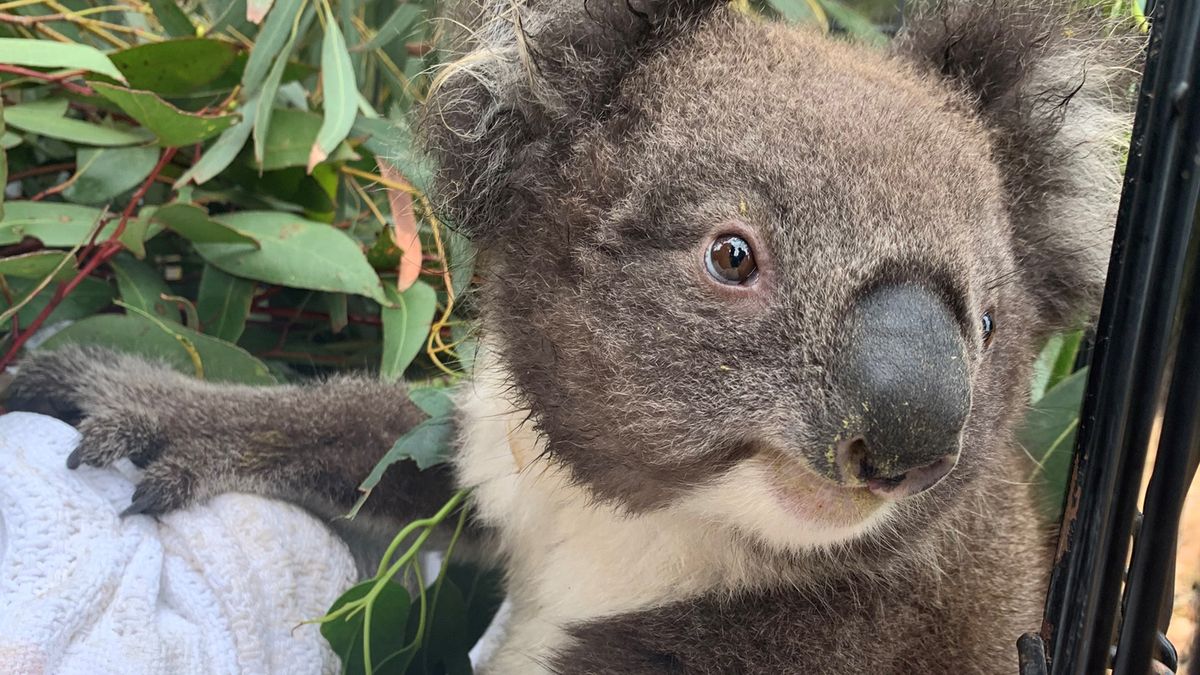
(905, 383)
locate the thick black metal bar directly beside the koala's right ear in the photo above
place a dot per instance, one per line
(1135, 347)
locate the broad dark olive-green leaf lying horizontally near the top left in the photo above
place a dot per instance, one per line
(175, 68)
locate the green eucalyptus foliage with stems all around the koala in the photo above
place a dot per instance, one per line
(231, 187)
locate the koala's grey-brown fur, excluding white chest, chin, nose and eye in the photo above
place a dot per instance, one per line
(592, 148)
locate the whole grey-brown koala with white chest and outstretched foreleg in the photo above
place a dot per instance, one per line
(759, 310)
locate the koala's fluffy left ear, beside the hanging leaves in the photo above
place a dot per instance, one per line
(537, 71)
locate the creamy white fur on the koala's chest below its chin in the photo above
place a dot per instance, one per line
(569, 559)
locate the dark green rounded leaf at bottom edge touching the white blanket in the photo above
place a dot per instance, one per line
(389, 622)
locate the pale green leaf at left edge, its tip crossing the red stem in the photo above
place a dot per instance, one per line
(63, 226)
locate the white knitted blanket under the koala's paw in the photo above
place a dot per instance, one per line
(219, 588)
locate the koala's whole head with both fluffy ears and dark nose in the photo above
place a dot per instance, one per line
(788, 282)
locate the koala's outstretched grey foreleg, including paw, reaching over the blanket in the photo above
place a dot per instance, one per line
(309, 445)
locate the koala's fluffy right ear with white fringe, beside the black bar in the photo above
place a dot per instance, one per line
(1057, 86)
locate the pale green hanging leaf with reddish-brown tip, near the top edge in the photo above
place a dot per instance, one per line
(341, 92)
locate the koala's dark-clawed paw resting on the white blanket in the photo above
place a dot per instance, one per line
(124, 409)
